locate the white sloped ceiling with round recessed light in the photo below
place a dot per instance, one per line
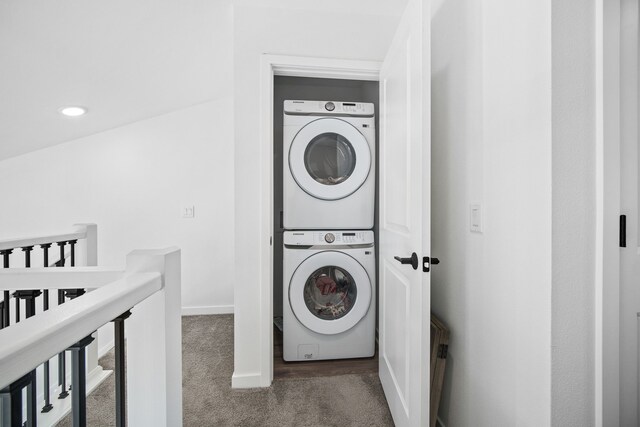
(124, 60)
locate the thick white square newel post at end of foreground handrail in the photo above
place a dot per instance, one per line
(154, 344)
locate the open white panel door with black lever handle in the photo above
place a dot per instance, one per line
(405, 219)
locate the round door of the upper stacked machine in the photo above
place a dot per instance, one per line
(329, 159)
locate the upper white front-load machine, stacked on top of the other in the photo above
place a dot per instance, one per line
(329, 165)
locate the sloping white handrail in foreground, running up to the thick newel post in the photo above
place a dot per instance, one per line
(35, 340)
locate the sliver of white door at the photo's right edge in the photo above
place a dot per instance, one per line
(629, 191)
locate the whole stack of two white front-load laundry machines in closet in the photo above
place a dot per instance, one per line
(328, 216)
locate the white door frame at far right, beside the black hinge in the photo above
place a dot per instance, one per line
(607, 262)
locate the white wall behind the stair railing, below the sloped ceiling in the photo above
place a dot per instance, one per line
(132, 181)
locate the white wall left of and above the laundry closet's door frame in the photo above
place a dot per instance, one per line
(258, 30)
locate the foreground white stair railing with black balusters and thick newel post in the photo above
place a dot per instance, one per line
(149, 288)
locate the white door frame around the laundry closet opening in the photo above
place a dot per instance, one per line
(295, 66)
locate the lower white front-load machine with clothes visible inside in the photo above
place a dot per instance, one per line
(329, 295)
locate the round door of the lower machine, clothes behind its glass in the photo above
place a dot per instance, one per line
(330, 292)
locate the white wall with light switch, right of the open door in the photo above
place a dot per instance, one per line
(491, 142)
